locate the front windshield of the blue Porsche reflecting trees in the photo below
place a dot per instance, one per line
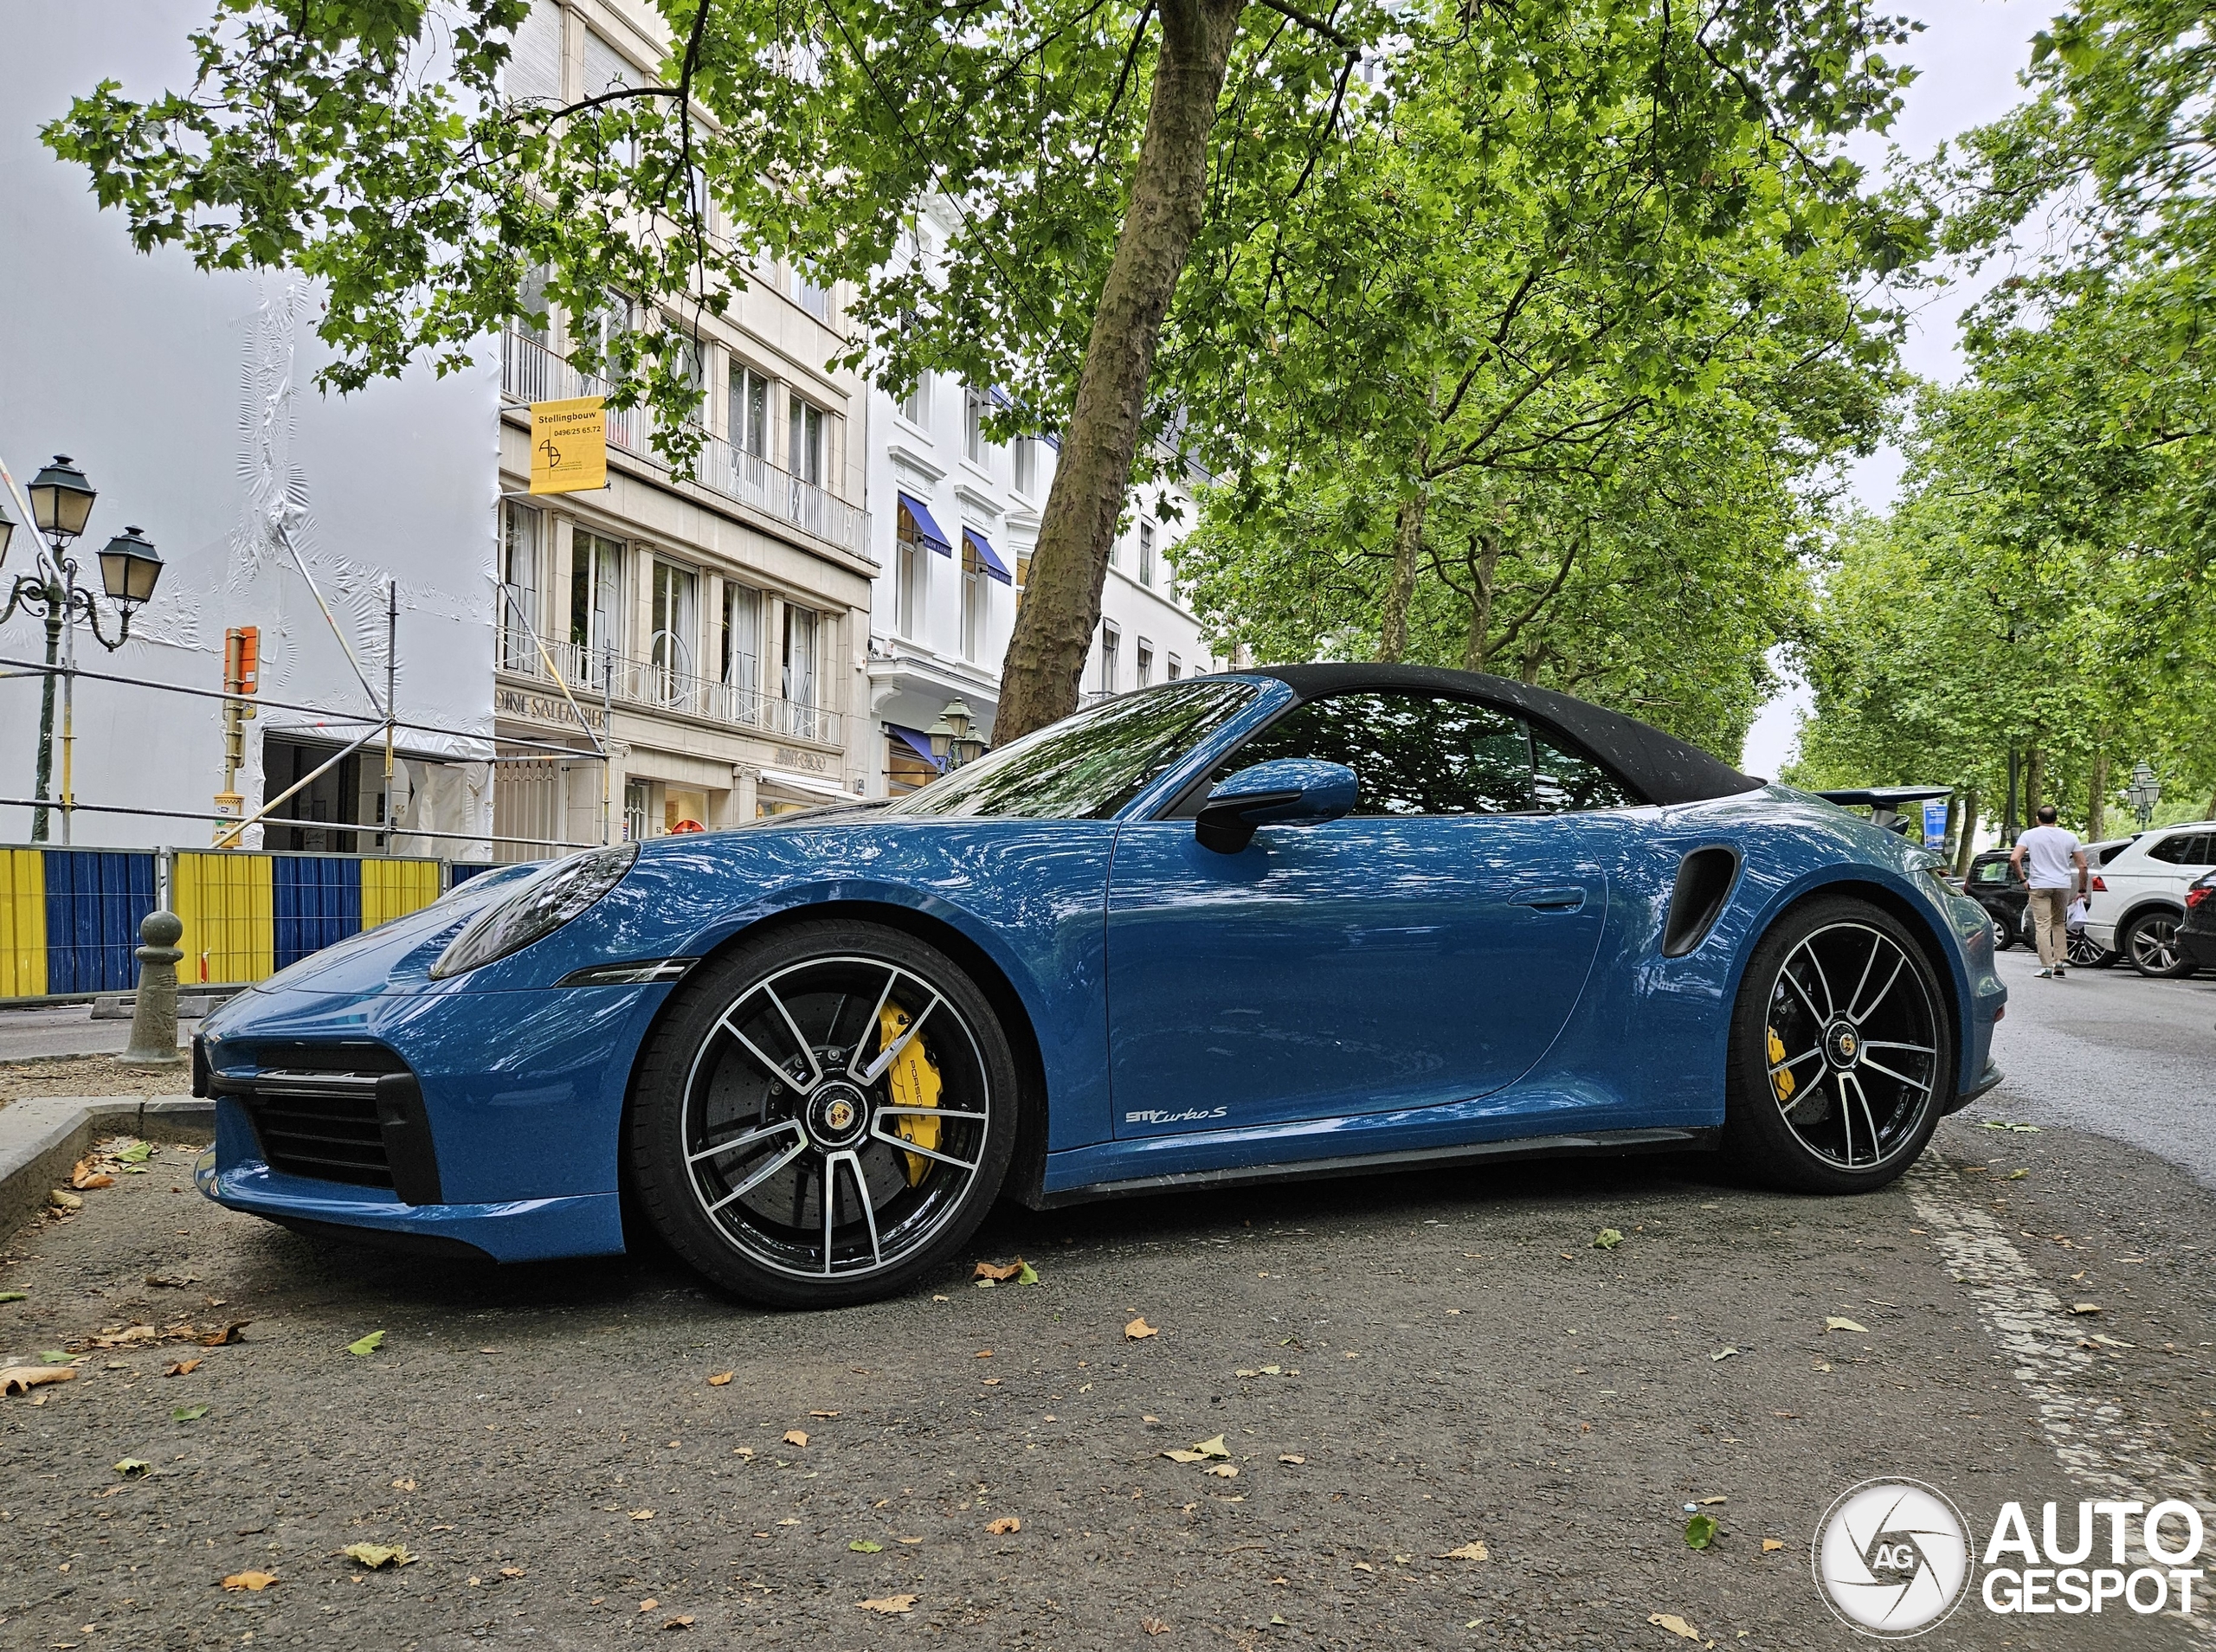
(1089, 765)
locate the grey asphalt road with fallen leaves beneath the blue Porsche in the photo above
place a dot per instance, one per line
(1455, 1363)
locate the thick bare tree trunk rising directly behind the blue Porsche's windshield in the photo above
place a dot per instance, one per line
(1169, 198)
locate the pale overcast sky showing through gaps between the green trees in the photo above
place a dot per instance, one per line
(1969, 54)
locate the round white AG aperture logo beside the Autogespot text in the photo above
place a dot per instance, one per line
(1894, 1558)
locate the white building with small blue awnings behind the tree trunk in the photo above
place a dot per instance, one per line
(954, 524)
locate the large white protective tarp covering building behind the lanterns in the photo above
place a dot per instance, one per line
(189, 404)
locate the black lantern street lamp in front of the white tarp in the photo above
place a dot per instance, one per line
(130, 570)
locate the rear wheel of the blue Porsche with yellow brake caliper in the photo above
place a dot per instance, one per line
(1834, 1082)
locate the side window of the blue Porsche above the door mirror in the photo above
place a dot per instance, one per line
(1417, 754)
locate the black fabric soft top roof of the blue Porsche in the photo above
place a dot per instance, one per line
(1656, 765)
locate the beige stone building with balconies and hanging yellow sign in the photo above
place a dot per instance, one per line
(708, 632)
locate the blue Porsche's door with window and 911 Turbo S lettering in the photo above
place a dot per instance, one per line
(1419, 951)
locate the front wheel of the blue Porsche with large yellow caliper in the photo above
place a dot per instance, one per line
(843, 1055)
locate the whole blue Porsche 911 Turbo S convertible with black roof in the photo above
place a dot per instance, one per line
(1286, 922)
